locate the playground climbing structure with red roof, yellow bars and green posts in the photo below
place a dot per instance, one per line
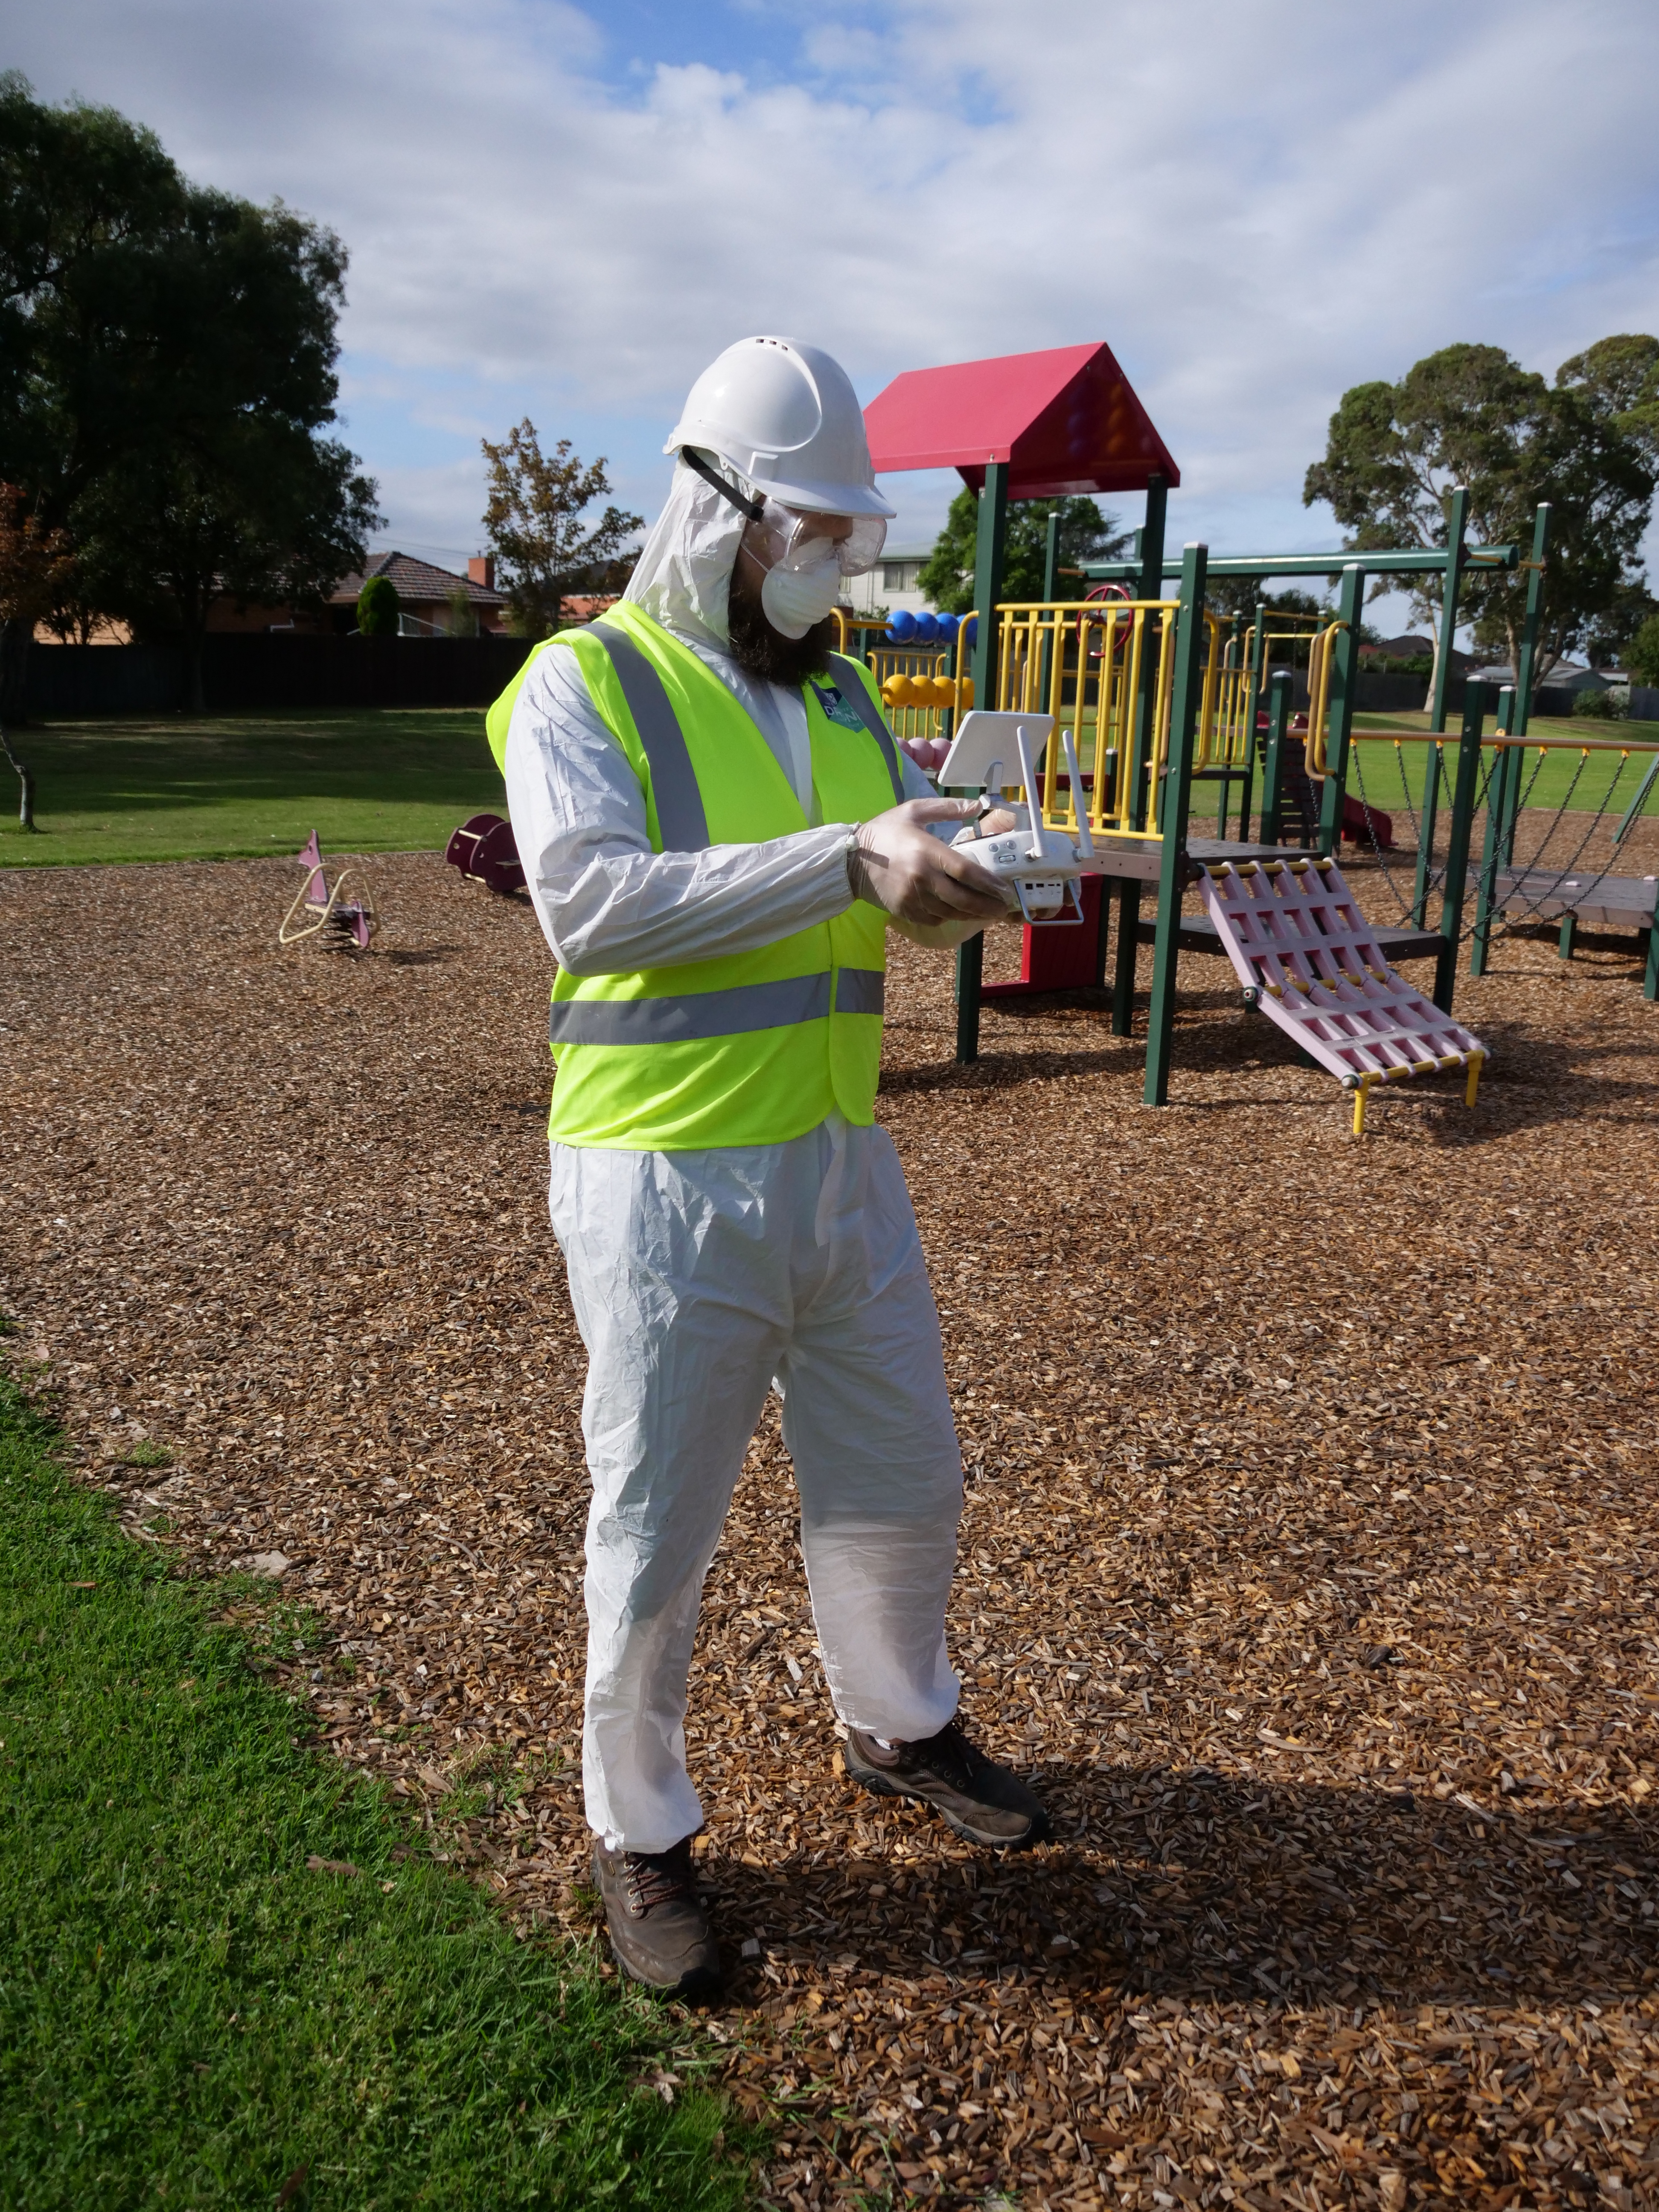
(1160, 696)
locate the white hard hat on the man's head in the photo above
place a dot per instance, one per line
(786, 419)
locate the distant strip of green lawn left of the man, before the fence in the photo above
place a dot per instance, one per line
(242, 784)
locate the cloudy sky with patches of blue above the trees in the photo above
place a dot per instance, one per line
(565, 211)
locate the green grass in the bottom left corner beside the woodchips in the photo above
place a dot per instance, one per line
(194, 2016)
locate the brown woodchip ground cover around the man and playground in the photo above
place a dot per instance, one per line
(1308, 1558)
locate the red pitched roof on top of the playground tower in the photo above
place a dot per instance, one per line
(1067, 421)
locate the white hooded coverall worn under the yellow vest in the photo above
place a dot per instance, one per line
(700, 1280)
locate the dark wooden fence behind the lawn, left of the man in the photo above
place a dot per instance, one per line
(273, 671)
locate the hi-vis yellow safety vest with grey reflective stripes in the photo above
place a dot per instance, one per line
(751, 1047)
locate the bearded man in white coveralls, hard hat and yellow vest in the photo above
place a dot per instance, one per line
(718, 833)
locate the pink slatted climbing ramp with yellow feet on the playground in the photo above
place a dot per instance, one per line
(1311, 963)
